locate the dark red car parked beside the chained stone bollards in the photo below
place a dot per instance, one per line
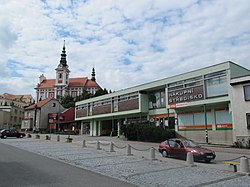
(179, 147)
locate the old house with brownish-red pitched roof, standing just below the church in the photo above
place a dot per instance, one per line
(36, 115)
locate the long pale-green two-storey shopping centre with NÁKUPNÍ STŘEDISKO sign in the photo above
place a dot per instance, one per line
(199, 105)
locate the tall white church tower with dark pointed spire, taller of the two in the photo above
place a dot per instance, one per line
(62, 75)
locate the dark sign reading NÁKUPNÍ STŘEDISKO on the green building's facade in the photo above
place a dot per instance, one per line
(186, 95)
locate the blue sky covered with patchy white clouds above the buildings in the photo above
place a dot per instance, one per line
(129, 42)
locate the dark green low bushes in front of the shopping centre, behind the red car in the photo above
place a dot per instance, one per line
(146, 132)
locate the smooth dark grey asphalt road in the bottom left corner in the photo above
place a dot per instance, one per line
(23, 168)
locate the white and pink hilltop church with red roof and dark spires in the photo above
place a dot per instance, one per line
(63, 85)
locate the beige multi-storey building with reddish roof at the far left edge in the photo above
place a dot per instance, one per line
(12, 109)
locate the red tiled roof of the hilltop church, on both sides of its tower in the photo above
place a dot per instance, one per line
(73, 82)
